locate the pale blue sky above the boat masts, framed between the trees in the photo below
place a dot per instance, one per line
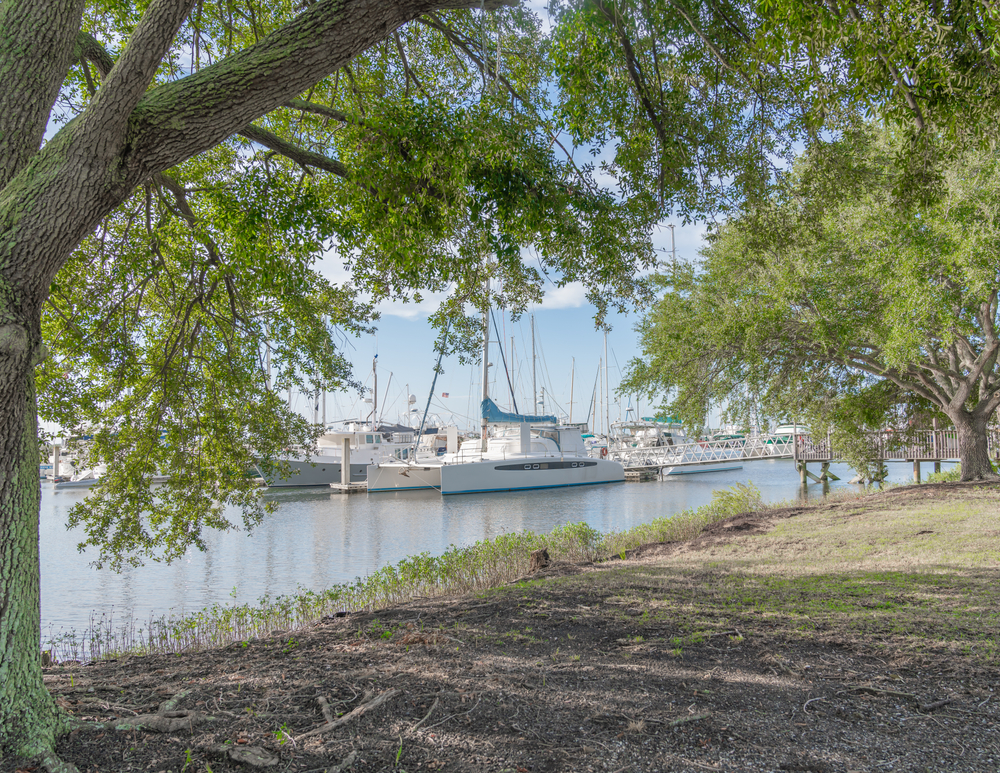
(564, 331)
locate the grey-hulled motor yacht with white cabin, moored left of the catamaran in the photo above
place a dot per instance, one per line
(322, 468)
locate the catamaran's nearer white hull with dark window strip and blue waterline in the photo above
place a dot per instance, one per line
(533, 473)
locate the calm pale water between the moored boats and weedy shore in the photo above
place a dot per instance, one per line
(317, 538)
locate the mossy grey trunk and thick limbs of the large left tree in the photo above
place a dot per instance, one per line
(52, 196)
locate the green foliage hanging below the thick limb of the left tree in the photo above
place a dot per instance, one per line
(178, 327)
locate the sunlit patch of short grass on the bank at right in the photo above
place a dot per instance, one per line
(907, 572)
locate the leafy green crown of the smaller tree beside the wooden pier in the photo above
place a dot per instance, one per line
(830, 303)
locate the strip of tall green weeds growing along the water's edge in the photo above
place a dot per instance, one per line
(486, 564)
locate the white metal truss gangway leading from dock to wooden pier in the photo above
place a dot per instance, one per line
(706, 452)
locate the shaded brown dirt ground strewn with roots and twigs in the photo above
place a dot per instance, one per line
(627, 666)
